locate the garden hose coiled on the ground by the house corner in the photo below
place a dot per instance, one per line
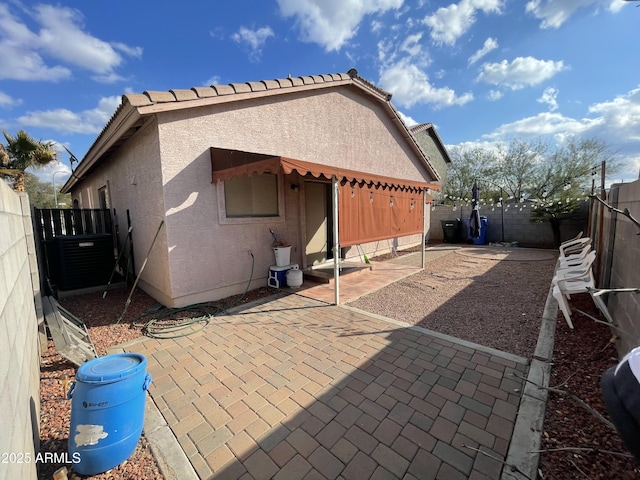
(169, 323)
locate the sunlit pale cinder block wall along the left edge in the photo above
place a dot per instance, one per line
(19, 353)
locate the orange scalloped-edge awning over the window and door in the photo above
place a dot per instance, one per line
(227, 164)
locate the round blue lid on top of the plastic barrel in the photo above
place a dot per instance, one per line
(111, 368)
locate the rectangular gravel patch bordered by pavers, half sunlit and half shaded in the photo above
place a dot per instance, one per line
(494, 303)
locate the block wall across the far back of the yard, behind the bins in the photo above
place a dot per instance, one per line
(516, 221)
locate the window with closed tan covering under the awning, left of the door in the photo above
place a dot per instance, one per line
(254, 196)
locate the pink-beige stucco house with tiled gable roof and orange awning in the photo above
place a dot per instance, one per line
(324, 161)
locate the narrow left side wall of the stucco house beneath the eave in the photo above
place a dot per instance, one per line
(133, 179)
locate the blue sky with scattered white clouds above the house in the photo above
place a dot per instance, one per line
(482, 71)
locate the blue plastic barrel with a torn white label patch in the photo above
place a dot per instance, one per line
(107, 411)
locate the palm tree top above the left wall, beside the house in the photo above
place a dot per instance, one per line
(21, 152)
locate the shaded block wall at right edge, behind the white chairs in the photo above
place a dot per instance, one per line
(622, 242)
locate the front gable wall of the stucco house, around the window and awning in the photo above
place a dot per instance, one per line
(340, 128)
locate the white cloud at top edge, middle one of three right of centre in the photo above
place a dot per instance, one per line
(450, 23)
